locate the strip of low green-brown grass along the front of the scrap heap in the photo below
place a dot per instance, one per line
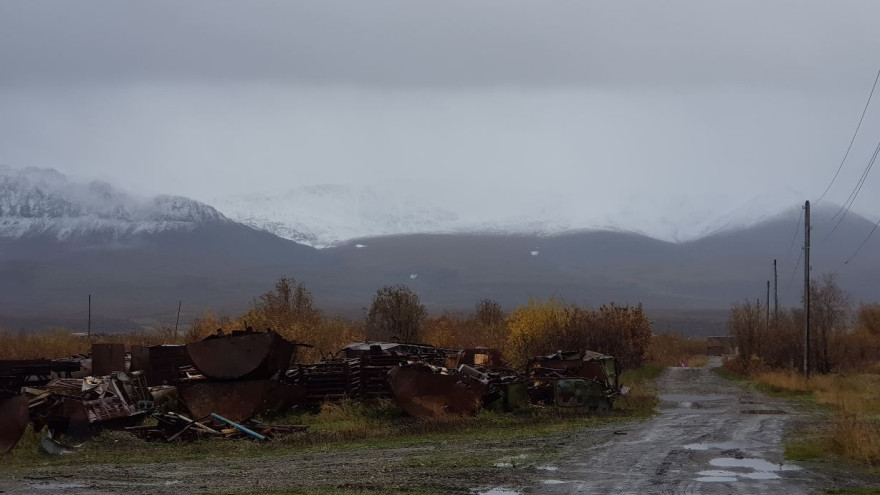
(330, 434)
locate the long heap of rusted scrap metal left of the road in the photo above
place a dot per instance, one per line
(226, 380)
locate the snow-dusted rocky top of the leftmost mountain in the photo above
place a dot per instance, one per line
(45, 202)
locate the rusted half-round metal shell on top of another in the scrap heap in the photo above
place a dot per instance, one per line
(245, 355)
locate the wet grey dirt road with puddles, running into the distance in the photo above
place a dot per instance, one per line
(710, 437)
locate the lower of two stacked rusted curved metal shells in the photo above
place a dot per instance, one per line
(239, 400)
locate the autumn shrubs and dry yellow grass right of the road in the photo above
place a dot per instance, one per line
(844, 361)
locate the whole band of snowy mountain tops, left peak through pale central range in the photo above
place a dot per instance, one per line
(47, 203)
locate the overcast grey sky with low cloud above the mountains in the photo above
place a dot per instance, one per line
(475, 104)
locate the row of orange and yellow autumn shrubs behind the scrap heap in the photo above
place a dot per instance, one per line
(396, 314)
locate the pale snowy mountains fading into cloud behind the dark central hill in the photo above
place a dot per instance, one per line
(328, 215)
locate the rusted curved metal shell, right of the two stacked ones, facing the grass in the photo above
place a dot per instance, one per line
(427, 392)
